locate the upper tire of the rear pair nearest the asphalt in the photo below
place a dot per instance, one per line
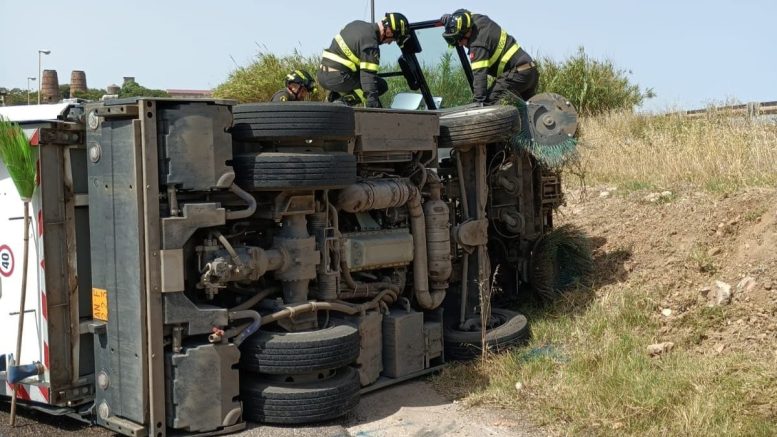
(295, 353)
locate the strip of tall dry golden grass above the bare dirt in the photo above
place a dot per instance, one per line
(716, 152)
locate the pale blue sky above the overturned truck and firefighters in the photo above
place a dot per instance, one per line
(690, 52)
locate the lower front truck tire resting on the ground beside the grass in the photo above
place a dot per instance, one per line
(465, 345)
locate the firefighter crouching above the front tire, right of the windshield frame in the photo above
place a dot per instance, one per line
(492, 51)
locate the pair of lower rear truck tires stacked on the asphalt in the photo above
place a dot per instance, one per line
(299, 377)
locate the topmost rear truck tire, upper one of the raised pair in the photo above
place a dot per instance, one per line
(303, 120)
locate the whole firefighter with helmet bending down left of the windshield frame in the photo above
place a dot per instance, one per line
(349, 67)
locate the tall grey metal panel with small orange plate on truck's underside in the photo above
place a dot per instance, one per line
(117, 255)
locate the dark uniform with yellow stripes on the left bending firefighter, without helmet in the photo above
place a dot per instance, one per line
(350, 65)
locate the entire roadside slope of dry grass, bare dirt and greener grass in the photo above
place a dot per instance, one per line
(586, 369)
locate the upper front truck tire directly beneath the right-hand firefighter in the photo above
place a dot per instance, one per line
(479, 125)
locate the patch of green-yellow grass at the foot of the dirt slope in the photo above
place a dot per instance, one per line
(586, 371)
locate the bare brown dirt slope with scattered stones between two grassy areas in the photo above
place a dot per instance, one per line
(677, 246)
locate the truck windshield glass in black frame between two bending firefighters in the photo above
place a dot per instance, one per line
(441, 68)
